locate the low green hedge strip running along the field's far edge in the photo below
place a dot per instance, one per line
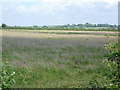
(61, 28)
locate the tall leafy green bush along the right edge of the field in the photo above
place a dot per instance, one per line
(113, 62)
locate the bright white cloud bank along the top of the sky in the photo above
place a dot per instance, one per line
(53, 6)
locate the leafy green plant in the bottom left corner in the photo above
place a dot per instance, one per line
(7, 76)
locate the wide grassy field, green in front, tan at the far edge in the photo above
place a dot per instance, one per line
(56, 60)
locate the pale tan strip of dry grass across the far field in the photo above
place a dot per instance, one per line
(44, 35)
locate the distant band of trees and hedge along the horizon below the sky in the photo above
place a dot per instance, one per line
(65, 27)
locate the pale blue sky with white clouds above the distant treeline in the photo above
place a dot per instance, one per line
(58, 12)
